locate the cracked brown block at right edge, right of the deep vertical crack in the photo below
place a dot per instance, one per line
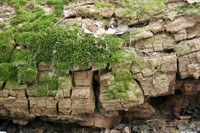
(188, 52)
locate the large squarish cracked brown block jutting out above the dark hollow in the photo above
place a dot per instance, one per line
(158, 75)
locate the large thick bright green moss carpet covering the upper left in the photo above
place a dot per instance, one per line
(33, 38)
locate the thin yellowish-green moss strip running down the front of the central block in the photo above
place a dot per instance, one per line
(123, 81)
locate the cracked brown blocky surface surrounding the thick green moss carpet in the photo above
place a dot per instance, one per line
(158, 60)
